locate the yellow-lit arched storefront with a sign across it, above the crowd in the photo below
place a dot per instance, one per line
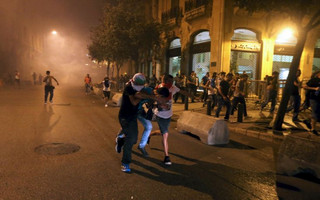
(245, 53)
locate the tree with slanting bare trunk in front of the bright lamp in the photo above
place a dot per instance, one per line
(305, 15)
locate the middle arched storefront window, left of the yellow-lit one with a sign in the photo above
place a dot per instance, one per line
(200, 51)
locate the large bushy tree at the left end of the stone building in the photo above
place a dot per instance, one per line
(124, 33)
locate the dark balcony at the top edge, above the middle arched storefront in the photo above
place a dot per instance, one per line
(195, 8)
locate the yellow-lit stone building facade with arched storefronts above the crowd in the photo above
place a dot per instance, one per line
(207, 35)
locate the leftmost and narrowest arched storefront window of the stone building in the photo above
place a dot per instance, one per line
(174, 55)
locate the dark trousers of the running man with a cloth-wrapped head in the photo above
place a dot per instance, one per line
(130, 130)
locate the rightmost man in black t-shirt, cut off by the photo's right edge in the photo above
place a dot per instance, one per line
(313, 86)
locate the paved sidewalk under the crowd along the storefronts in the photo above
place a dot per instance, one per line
(258, 126)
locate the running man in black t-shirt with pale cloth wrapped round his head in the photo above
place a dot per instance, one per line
(128, 134)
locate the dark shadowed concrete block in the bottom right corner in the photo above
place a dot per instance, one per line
(299, 153)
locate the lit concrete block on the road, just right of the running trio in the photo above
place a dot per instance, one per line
(204, 126)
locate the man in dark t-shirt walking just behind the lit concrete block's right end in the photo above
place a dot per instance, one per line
(223, 98)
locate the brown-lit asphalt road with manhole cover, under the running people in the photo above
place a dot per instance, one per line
(244, 169)
